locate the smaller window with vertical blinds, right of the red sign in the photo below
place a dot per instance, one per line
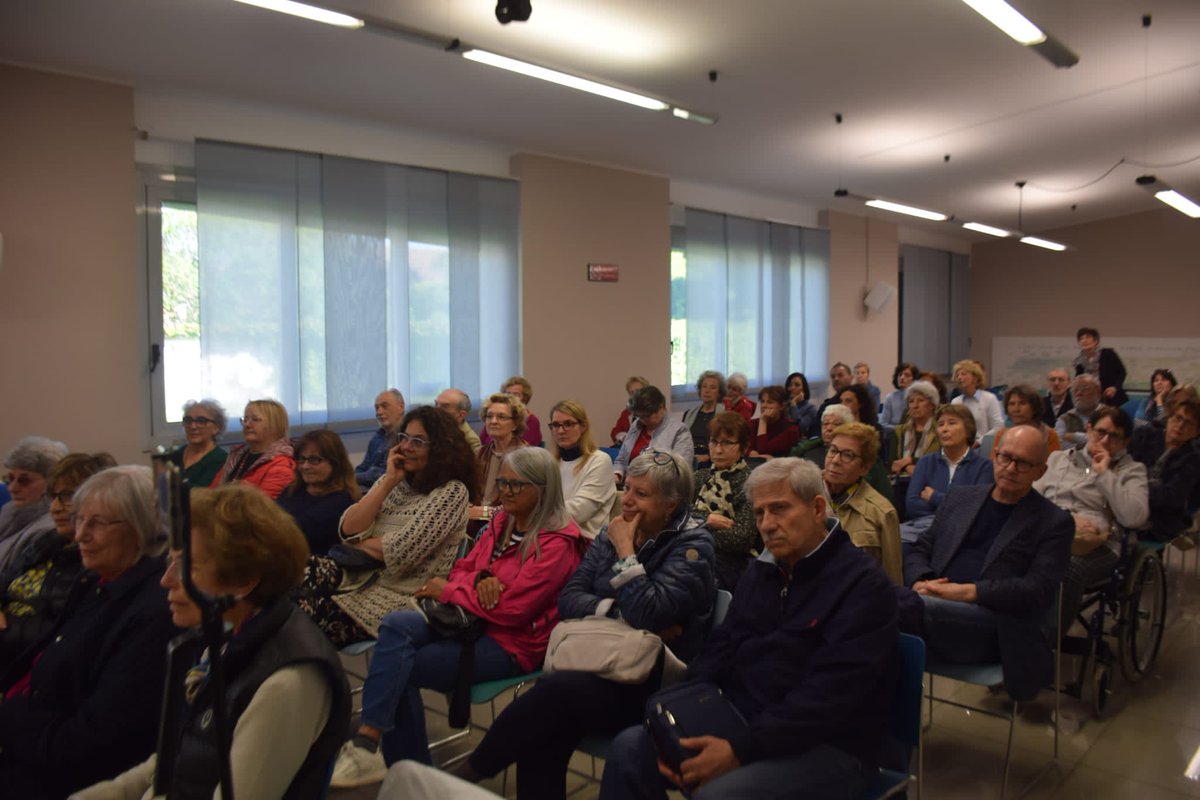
(747, 296)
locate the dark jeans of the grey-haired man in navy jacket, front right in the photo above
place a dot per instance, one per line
(824, 773)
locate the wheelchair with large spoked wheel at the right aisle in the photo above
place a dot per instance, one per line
(1124, 617)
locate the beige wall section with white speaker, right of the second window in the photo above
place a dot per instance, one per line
(862, 252)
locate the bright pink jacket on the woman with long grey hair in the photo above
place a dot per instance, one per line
(529, 606)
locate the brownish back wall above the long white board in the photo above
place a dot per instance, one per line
(1127, 276)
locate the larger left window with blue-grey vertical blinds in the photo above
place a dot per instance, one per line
(323, 280)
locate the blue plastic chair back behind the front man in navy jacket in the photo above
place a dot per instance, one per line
(904, 724)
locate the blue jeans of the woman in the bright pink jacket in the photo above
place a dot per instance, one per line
(409, 658)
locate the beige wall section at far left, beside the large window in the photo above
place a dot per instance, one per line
(70, 302)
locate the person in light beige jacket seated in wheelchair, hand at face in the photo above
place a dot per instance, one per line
(1102, 488)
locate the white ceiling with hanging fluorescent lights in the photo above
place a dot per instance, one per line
(916, 81)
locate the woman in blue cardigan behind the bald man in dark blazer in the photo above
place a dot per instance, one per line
(957, 464)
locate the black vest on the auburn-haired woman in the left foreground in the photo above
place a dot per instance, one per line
(279, 636)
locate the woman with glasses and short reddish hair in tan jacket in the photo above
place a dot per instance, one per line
(866, 515)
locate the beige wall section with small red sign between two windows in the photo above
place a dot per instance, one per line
(583, 340)
